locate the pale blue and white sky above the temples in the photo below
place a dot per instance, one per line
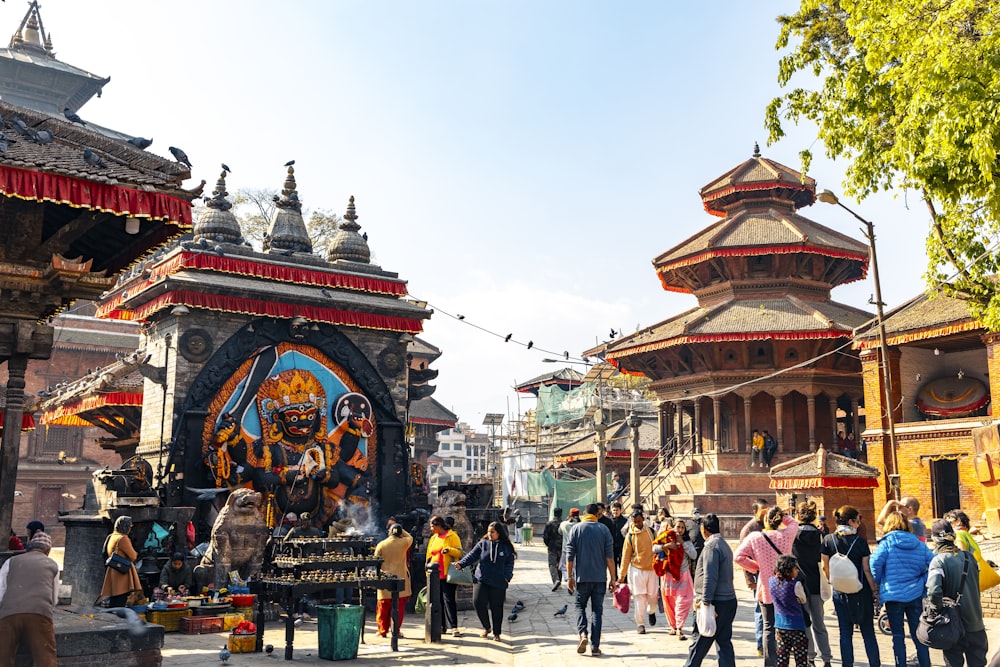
(519, 163)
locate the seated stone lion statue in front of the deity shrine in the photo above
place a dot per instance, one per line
(239, 536)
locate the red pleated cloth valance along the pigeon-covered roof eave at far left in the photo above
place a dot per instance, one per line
(79, 193)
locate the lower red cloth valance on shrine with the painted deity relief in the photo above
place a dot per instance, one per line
(231, 304)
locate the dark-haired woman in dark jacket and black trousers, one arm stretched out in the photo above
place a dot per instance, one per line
(494, 557)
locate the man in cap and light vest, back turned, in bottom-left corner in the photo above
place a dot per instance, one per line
(29, 589)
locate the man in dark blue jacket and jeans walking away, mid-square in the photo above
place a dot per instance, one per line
(589, 557)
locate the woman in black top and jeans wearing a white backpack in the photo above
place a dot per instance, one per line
(845, 565)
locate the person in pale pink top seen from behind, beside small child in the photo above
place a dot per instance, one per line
(759, 552)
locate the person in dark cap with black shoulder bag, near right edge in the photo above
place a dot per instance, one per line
(943, 577)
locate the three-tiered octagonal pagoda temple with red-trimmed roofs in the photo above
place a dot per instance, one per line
(766, 348)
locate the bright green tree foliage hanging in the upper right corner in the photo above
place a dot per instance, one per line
(909, 93)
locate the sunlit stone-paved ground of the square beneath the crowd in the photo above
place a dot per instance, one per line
(537, 638)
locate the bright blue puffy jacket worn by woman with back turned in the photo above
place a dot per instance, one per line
(899, 565)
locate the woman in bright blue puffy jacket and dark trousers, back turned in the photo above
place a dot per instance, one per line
(899, 566)
